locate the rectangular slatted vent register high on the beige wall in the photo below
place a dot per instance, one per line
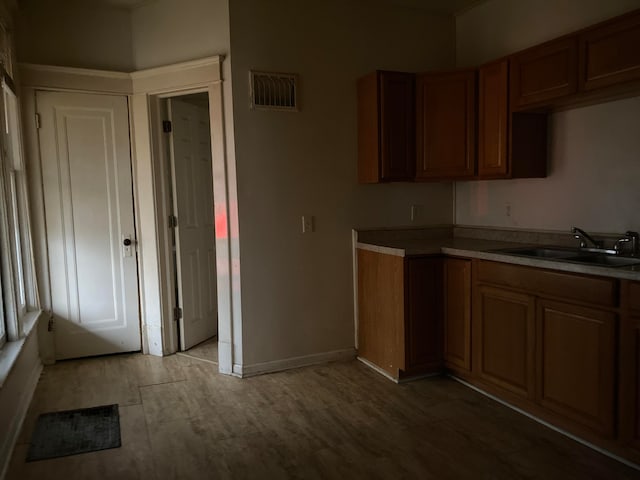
(273, 91)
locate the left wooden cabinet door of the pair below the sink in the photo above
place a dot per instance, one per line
(504, 339)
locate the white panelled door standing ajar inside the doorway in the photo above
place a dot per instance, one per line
(195, 236)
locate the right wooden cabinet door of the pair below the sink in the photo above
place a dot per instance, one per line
(576, 364)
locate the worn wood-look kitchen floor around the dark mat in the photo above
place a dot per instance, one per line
(180, 419)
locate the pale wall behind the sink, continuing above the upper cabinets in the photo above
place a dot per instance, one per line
(594, 170)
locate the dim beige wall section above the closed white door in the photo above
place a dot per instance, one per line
(74, 33)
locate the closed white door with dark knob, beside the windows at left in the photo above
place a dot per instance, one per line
(86, 168)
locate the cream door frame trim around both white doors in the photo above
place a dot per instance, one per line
(144, 89)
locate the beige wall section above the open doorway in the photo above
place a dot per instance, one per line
(166, 31)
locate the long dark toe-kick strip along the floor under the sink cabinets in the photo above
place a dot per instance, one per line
(610, 448)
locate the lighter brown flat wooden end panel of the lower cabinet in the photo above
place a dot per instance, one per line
(381, 310)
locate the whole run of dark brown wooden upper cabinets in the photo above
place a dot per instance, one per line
(490, 122)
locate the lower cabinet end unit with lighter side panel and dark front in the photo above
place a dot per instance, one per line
(400, 313)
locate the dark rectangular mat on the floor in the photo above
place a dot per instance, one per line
(59, 434)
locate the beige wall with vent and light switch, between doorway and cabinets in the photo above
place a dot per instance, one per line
(297, 289)
